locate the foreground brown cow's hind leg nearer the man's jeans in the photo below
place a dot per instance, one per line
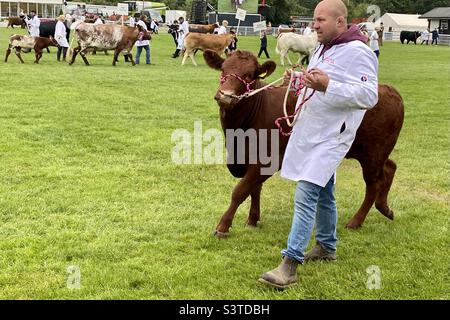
(373, 176)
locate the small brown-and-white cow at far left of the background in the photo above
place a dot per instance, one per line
(20, 42)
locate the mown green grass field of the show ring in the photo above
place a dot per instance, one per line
(86, 179)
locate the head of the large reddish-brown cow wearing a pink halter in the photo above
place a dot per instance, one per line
(241, 73)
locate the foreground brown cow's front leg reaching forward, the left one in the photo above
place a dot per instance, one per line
(243, 189)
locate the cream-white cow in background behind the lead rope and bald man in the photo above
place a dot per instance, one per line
(304, 45)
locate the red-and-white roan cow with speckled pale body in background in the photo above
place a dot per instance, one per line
(107, 37)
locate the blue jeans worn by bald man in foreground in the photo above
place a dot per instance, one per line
(312, 203)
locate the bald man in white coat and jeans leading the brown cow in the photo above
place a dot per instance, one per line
(344, 74)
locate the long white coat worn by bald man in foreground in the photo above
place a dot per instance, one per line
(317, 146)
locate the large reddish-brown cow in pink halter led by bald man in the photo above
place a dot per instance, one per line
(375, 138)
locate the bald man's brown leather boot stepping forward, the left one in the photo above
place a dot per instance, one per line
(282, 277)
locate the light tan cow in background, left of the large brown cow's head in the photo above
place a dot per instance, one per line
(200, 41)
